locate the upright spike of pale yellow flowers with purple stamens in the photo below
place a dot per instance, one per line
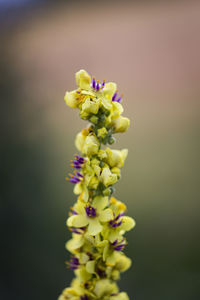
(97, 220)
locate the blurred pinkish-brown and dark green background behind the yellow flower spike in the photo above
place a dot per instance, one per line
(151, 49)
